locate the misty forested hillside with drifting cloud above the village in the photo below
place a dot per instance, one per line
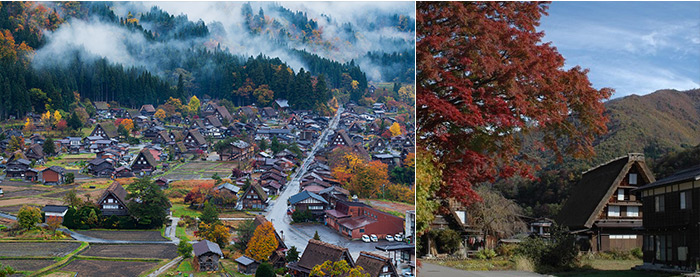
(53, 55)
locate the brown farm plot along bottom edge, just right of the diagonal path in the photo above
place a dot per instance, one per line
(108, 268)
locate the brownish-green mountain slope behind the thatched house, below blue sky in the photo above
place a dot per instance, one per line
(664, 125)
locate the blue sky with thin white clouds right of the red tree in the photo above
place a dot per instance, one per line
(633, 47)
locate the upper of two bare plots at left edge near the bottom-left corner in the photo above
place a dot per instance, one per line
(37, 249)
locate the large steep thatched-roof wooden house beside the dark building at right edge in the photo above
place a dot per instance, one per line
(602, 210)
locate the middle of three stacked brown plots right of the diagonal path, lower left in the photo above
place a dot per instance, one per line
(158, 251)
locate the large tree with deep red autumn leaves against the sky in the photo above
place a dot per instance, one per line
(485, 80)
